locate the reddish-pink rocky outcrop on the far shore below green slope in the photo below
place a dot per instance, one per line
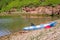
(43, 9)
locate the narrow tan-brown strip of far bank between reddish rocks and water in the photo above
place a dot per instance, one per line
(26, 15)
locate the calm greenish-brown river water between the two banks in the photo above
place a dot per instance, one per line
(9, 25)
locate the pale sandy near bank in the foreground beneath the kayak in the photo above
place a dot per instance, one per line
(43, 34)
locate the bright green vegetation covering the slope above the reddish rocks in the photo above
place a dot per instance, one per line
(8, 4)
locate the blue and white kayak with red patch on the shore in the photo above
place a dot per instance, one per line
(48, 25)
